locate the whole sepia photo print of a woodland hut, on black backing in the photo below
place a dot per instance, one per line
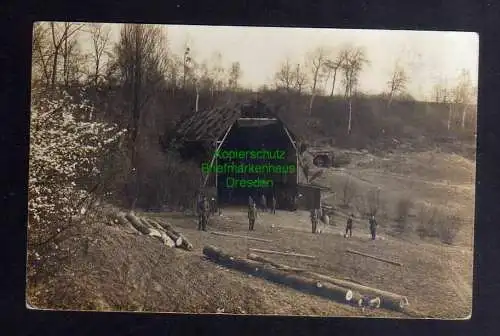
(252, 170)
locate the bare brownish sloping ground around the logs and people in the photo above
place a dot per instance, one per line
(114, 270)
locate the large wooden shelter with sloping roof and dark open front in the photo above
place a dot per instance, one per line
(250, 127)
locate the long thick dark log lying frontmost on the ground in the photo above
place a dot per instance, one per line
(256, 269)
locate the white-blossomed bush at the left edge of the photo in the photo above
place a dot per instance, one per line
(63, 149)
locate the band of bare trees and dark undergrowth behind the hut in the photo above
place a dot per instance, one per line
(145, 88)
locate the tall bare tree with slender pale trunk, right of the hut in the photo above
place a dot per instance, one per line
(354, 60)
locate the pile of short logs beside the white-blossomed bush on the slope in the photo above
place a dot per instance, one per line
(153, 227)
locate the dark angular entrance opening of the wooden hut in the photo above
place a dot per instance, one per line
(269, 137)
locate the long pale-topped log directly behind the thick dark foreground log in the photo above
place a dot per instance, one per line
(387, 299)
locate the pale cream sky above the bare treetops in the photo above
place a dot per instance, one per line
(428, 56)
